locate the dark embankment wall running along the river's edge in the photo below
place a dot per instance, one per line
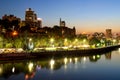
(58, 53)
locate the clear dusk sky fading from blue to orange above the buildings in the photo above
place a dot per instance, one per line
(85, 15)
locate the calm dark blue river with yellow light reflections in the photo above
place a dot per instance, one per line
(95, 67)
